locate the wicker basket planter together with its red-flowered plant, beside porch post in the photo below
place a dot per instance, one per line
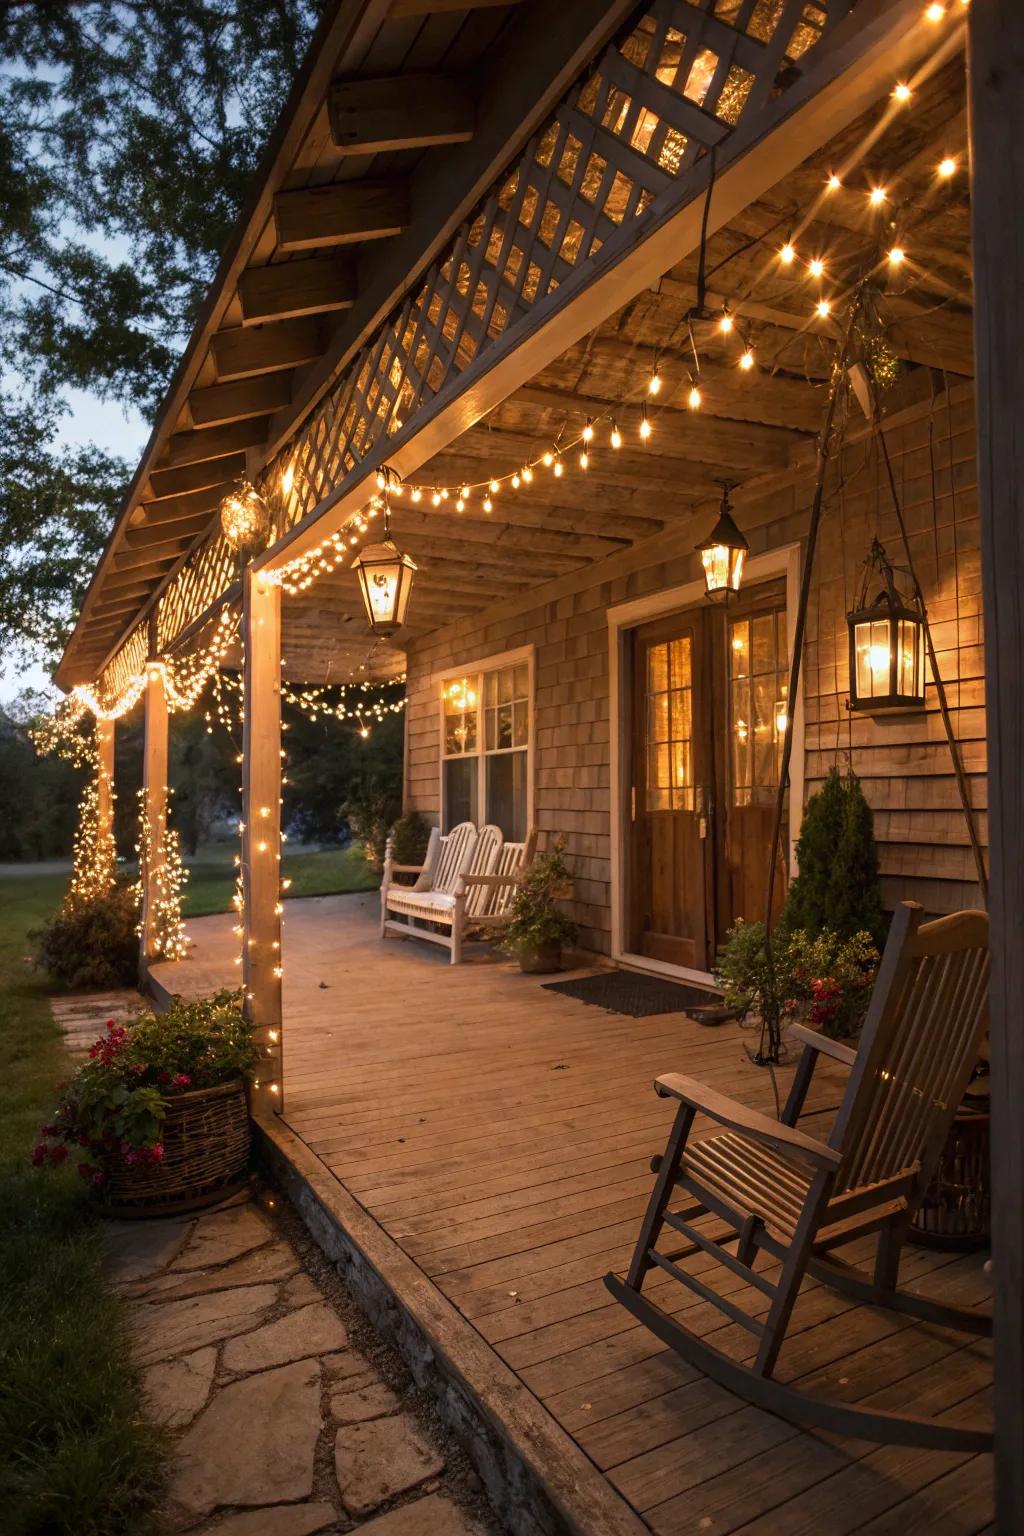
(157, 1116)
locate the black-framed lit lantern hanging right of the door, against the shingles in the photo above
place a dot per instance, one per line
(887, 643)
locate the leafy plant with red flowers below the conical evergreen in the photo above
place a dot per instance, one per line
(821, 978)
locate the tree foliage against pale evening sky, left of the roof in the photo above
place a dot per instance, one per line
(130, 134)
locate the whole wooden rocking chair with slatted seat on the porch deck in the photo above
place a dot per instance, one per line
(796, 1197)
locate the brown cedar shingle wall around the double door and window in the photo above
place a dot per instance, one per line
(902, 760)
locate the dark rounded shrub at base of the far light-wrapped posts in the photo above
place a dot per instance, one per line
(93, 944)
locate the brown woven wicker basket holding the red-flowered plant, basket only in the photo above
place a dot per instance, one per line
(206, 1157)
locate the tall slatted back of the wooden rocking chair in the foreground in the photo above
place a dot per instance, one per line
(922, 1041)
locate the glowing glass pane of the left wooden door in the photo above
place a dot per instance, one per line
(669, 726)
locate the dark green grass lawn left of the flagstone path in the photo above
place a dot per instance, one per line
(74, 1457)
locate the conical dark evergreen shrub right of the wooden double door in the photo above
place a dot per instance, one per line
(837, 889)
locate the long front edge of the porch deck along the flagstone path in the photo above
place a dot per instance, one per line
(538, 1478)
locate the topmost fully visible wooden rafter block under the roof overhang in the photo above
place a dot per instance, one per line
(400, 113)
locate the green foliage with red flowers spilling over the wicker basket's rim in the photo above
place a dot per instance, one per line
(116, 1104)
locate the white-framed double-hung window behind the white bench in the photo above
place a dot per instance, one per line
(486, 746)
